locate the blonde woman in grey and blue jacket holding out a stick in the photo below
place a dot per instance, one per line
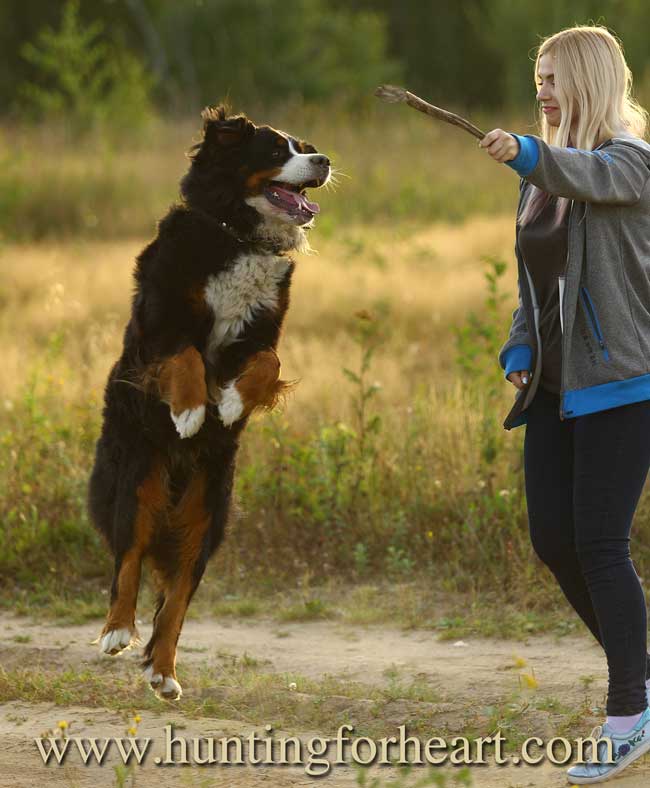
(579, 354)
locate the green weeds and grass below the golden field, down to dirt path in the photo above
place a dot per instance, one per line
(320, 508)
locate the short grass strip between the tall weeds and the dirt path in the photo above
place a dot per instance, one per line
(415, 605)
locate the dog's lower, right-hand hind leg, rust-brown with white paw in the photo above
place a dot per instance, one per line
(197, 527)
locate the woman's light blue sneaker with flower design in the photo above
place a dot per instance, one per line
(626, 748)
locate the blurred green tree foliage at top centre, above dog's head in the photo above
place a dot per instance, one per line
(267, 50)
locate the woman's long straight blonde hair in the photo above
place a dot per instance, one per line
(592, 80)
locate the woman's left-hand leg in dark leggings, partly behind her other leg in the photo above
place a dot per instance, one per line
(548, 468)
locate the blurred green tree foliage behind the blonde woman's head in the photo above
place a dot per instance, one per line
(479, 53)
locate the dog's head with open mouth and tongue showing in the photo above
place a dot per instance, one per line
(241, 171)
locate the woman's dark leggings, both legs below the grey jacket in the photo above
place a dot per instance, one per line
(584, 477)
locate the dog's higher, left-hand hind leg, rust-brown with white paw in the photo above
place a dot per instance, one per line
(135, 514)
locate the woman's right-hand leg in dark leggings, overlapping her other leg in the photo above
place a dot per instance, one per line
(611, 459)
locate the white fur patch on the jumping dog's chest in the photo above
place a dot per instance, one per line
(236, 295)
